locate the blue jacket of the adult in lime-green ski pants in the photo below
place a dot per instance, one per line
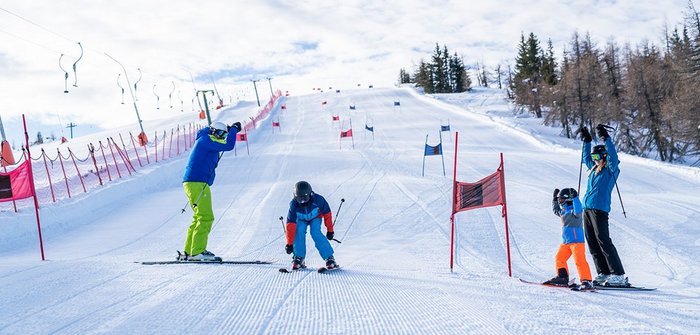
(205, 155)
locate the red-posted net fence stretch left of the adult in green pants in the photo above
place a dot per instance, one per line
(65, 174)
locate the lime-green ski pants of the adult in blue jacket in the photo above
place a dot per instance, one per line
(199, 196)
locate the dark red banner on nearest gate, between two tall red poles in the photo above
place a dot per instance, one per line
(484, 193)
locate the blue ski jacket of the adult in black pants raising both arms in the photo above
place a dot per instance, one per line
(600, 184)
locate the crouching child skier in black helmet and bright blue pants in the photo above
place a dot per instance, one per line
(305, 211)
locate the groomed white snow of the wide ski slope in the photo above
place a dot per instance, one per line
(394, 227)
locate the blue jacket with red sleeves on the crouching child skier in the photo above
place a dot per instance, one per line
(315, 209)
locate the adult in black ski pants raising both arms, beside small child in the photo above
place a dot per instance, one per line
(602, 174)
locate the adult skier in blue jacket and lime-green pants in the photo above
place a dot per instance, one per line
(199, 176)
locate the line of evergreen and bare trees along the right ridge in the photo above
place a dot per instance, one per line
(648, 92)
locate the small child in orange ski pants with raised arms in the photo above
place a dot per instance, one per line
(567, 206)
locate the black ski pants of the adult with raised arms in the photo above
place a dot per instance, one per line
(595, 225)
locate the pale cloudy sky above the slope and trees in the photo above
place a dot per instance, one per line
(299, 44)
